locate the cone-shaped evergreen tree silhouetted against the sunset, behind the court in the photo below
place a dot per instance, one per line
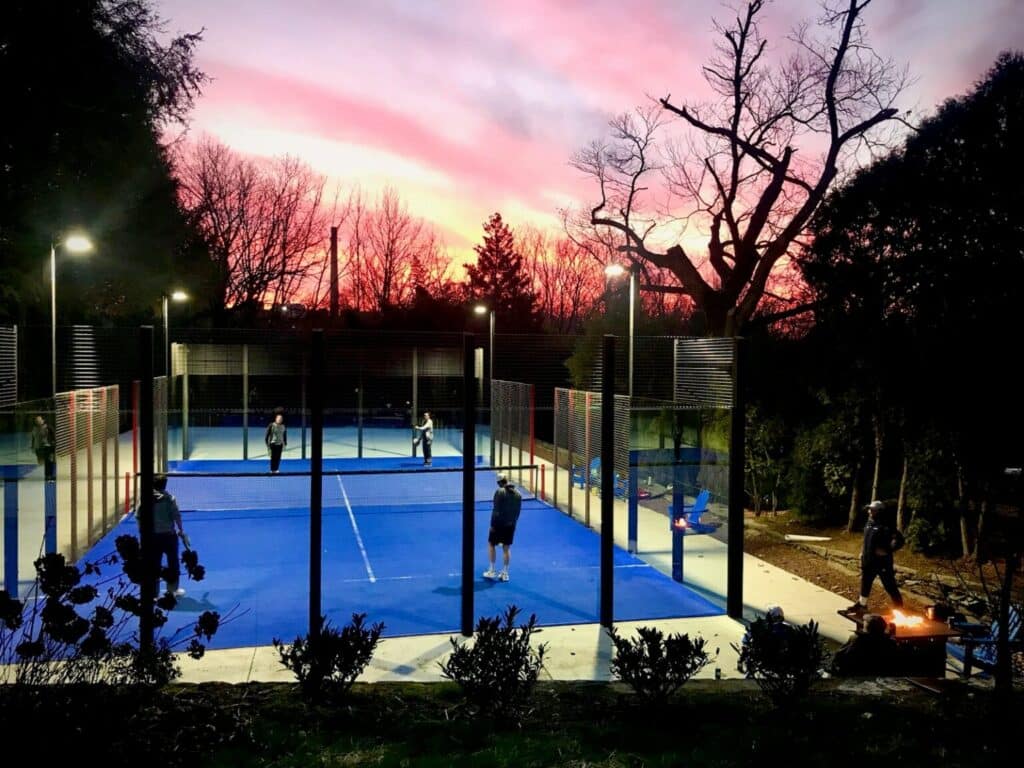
(499, 279)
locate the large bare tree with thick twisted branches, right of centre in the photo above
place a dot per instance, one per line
(738, 177)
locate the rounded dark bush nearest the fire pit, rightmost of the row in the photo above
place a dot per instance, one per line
(783, 659)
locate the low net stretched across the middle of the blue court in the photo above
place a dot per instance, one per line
(365, 491)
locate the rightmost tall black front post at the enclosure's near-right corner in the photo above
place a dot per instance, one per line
(735, 581)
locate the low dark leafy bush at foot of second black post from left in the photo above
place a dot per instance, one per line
(330, 664)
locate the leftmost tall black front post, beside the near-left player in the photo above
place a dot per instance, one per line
(145, 508)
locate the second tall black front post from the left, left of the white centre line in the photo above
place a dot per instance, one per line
(316, 389)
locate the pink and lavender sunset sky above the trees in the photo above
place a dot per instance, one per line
(471, 107)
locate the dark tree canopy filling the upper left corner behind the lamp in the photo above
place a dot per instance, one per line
(90, 90)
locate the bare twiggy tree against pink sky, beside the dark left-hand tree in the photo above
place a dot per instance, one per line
(265, 222)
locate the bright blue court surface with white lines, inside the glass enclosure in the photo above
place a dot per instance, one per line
(393, 549)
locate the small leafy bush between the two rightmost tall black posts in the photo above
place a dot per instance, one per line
(655, 666)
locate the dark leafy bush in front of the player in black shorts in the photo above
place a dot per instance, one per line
(498, 671)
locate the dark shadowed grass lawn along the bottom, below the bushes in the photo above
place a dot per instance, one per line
(721, 723)
